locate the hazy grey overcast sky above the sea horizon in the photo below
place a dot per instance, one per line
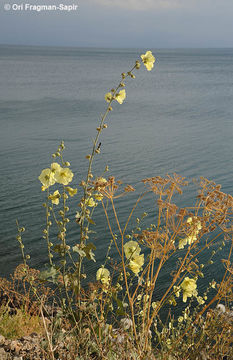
(120, 23)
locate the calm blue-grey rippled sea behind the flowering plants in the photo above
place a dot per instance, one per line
(176, 118)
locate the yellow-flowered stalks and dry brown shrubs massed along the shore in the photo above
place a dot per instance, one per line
(123, 313)
